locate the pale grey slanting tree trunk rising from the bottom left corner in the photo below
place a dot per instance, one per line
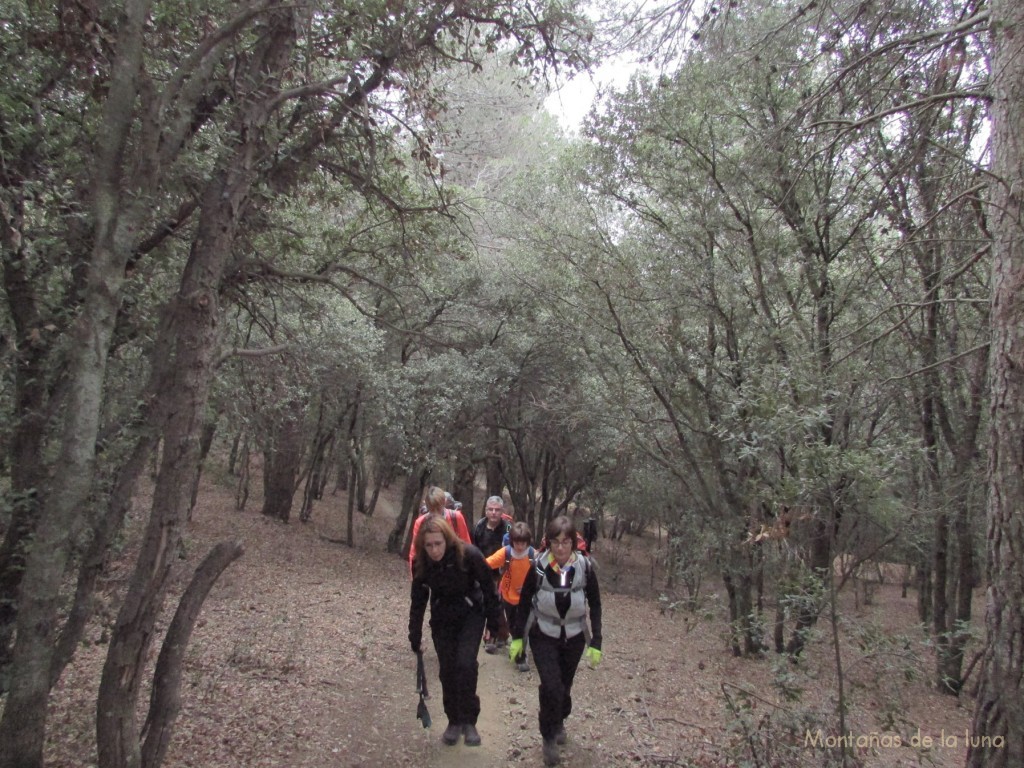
(23, 727)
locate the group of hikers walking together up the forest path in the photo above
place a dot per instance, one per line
(492, 585)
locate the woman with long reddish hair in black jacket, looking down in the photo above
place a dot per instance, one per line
(455, 579)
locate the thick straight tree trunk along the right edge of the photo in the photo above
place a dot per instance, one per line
(998, 733)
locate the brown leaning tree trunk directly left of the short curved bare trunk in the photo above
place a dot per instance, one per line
(191, 330)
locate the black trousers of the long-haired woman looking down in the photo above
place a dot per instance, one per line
(457, 645)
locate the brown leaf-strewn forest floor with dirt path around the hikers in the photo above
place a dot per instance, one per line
(302, 659)
